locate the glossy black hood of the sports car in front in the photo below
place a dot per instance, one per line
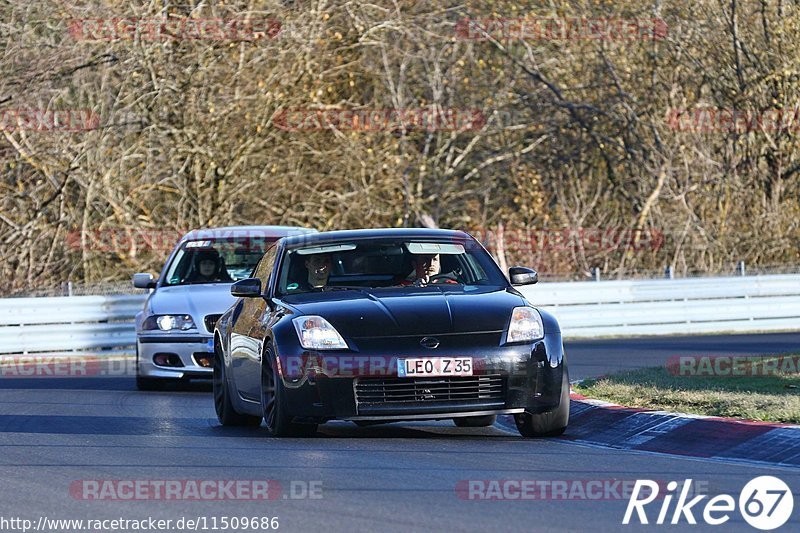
(410, 311)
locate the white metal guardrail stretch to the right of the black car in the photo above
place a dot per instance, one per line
(672, 306)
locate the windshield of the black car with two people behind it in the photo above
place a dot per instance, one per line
(386, 263)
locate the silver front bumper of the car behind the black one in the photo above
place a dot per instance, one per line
(188, 347)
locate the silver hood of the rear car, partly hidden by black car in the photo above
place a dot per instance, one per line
(197, 300)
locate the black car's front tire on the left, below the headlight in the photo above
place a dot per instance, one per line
(273, 406)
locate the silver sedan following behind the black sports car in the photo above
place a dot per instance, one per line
(174, 330)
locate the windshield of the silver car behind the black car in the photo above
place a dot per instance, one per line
(223, 260)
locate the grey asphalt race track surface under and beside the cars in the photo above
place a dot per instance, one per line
(55, 432)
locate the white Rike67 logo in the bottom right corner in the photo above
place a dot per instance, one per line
(765, 503)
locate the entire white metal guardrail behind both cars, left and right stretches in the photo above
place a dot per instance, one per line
(584, 309)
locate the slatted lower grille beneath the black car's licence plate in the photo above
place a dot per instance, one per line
(449, 390)
